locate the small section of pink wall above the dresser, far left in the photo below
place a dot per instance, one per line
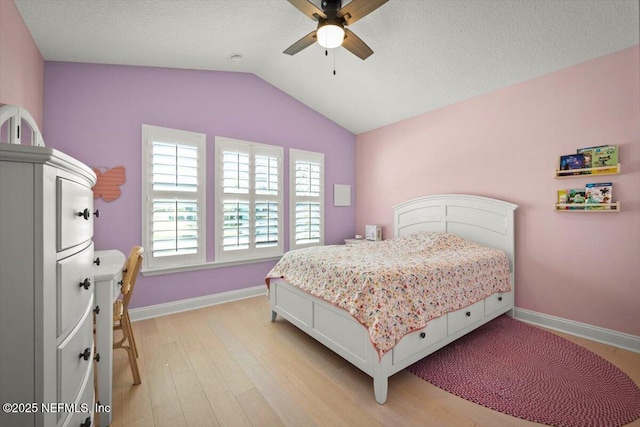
(21, 64)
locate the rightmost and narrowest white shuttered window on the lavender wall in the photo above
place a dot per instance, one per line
(306, 198)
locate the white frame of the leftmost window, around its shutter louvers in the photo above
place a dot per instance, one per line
(149, 134)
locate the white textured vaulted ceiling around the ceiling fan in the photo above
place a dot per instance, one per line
(428, 53)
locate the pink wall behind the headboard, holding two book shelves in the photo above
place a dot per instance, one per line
(505, 144)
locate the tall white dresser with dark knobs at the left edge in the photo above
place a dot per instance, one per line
(46, 288)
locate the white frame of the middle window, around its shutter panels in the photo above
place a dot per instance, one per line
(252, 253)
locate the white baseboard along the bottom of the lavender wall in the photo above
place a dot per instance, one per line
(194, 303)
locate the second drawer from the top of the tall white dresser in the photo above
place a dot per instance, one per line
(72, 297)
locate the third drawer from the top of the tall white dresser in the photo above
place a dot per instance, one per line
(73, 368)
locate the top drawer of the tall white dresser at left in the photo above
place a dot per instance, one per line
(75, 214)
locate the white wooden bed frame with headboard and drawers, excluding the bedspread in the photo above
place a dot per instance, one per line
(483, 220)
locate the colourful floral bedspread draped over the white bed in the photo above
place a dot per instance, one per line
(396, 286)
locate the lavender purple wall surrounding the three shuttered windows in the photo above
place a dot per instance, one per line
(95, 112)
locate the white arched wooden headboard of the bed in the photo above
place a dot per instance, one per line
(486, 221)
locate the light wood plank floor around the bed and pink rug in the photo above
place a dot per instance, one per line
(228, 365)
